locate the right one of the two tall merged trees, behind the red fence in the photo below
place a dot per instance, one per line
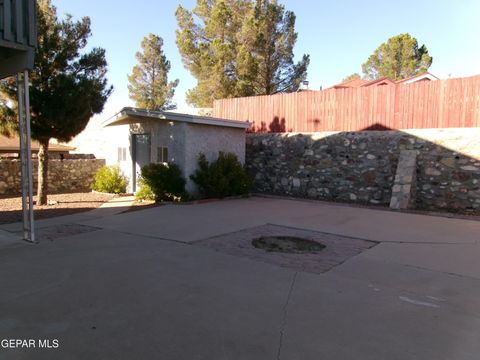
(265, 58)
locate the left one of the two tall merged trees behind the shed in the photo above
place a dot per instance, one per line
(209, 47)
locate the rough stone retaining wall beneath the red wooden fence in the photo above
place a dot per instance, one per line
(361, 166)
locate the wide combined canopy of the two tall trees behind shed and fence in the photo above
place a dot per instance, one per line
(238, 48)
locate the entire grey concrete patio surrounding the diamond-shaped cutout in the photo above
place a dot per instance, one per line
(137, 285)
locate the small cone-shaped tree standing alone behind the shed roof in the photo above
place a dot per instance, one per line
(148, 83)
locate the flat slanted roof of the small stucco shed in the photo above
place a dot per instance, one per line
(129, 115)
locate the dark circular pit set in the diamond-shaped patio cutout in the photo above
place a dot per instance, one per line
(287, 244)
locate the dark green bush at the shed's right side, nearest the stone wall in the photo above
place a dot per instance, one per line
(224, 177)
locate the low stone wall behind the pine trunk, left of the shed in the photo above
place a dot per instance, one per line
(63, 175)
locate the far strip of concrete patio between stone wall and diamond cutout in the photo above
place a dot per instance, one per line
(222, 217)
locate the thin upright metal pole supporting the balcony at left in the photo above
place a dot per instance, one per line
(25, 155)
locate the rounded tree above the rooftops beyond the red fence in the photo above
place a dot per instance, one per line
(398, 58)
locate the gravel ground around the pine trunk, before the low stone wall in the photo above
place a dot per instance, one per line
(62, 204)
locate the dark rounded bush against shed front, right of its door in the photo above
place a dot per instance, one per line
(165, 181)
